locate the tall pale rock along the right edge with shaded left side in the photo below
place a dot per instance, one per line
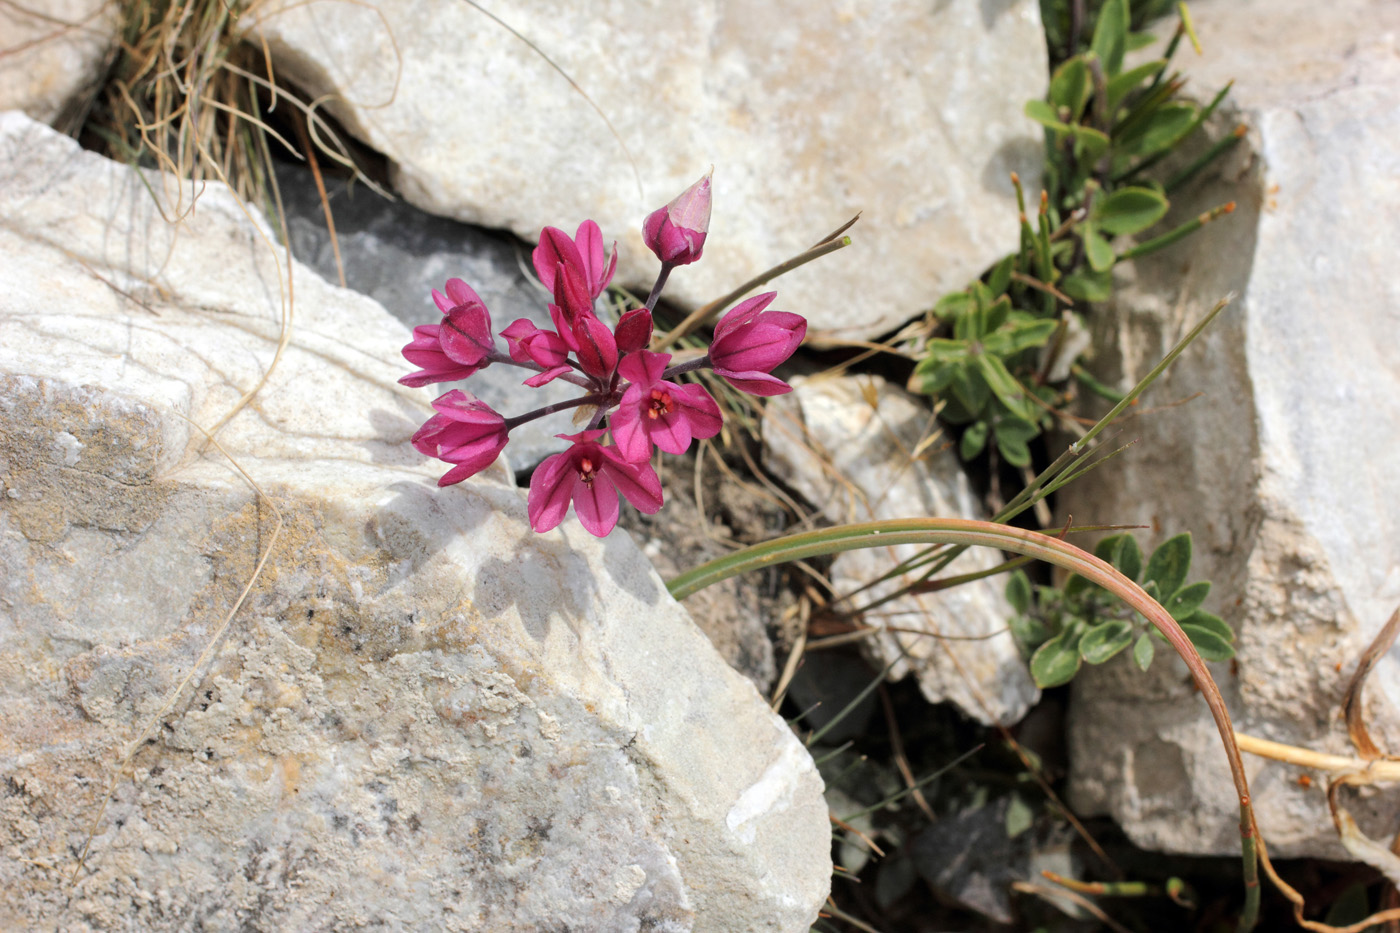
(1284, 470)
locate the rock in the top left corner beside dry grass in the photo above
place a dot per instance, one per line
(52, 54)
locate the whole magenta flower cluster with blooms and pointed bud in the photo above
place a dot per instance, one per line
(633, 393)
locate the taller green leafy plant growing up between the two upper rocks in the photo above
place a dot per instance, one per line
(1105, 127)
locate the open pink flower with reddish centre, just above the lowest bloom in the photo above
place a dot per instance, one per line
(654, 411)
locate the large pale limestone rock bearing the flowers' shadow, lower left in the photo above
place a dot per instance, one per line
(423, 715)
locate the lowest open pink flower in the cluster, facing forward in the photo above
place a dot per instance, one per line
(590, 477)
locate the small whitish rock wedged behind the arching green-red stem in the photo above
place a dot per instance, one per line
(856, 449)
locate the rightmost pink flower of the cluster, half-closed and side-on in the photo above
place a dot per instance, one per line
(750, 343)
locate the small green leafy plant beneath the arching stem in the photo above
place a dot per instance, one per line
(1084, 624)
